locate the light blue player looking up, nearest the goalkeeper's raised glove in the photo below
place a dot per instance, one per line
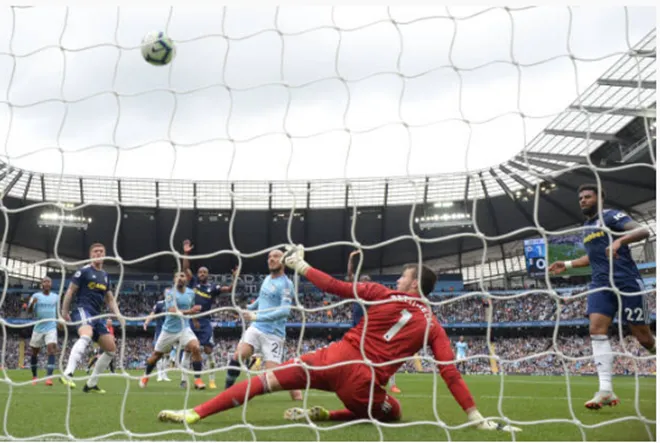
(268, 314)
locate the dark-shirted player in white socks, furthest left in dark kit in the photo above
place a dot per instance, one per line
(90, 286)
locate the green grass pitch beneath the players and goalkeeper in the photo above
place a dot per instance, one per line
(40, 409)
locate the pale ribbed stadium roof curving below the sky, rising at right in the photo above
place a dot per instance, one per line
(599, 116)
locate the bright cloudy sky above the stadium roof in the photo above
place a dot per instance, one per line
(345, 104)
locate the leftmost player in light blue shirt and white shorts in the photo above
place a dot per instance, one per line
(44, 304)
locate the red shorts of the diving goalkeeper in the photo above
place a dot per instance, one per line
(351, 382)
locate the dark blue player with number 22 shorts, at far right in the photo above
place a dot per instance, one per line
(603, 304)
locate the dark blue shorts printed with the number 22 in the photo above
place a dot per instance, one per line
(635, 307)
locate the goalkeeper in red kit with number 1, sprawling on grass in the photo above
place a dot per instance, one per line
(397, 329)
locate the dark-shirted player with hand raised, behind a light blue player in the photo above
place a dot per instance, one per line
(205, 294)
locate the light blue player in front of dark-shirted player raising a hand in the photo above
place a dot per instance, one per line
(176, 329)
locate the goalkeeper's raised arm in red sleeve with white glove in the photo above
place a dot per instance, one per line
(294, 258)
